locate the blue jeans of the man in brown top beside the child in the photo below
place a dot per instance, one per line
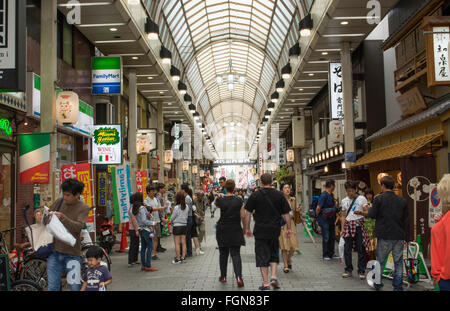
(71, 264)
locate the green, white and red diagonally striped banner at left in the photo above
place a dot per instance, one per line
(34, 157)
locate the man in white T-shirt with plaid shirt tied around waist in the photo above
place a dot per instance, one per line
(353, 230)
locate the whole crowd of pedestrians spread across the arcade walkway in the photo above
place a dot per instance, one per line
(274, 230)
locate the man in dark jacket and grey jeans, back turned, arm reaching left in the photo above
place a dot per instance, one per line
(391, 228)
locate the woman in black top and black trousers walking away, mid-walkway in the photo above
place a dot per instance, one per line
(229, 232)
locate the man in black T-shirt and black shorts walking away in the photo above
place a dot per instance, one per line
(269, 207)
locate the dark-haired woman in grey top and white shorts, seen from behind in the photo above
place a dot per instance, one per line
(179, 219)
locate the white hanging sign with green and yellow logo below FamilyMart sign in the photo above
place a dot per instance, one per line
(107, 144)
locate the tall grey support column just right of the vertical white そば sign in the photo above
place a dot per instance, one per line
(347, 86)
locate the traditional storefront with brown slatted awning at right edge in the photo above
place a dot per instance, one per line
(412, 152)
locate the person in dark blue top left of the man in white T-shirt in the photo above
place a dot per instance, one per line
(326, 217)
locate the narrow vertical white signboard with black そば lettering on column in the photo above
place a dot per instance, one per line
(336, 94)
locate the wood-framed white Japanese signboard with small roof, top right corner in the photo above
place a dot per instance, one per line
(437, 32)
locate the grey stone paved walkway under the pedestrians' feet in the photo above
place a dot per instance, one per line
(199, 273)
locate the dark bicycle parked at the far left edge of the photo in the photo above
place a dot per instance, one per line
(15, 271)
